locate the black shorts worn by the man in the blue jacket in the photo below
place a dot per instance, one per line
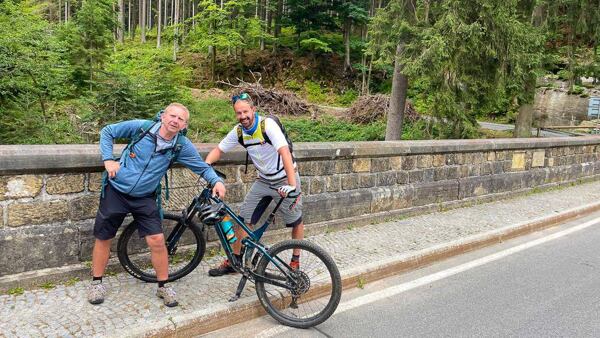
(114, 206)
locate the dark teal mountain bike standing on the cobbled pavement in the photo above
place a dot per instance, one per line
(300, 297)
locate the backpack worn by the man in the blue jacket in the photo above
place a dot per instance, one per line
(173, 154)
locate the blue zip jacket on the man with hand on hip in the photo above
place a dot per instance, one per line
(140, 175)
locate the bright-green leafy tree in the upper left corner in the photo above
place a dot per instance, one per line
(32, 67)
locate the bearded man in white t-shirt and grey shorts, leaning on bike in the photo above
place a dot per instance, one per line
(270, 150)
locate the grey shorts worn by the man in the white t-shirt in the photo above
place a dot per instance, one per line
(261, 195)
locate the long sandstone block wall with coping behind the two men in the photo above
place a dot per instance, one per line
(49, 194)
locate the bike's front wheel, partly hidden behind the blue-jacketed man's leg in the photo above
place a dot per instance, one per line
(134, 254)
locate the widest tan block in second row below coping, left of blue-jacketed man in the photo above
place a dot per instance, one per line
(37, 212)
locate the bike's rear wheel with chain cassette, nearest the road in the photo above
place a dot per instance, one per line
(314, 288)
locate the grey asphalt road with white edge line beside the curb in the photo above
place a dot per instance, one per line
(541, 285)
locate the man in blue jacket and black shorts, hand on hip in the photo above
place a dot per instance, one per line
(131, 188)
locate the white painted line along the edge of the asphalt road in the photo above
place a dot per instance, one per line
(397, 289)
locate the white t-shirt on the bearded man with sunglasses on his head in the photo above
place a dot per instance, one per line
(264, 156)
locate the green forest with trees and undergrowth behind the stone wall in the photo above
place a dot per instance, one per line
(367, 69)
